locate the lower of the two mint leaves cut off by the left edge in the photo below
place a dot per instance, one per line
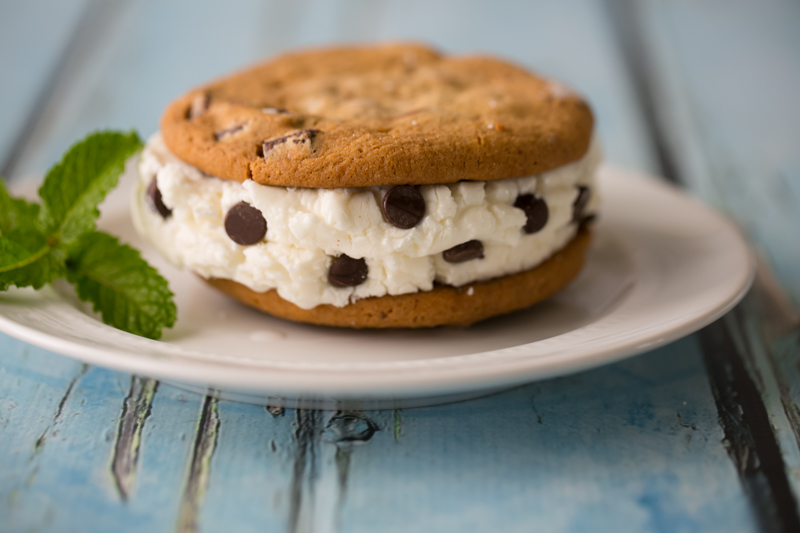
(26, 260)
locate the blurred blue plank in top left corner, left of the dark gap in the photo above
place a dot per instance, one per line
(35, 34)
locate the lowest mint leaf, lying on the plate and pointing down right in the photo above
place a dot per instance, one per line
(129, 293)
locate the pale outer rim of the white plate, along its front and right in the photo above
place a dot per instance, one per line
(553, 364)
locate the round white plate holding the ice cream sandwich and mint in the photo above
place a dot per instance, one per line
(662, 266)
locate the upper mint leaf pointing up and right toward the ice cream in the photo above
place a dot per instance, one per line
(74, 187)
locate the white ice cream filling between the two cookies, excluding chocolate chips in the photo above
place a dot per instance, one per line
(307, 228)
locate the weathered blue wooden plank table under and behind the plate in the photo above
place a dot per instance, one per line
(700, 435)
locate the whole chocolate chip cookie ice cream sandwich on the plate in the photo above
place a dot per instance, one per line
(371, 187)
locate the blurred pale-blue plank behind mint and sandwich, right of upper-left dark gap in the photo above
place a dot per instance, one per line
(126, 81)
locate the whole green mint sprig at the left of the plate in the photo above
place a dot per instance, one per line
(39, 244)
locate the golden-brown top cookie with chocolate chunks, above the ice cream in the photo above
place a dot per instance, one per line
(387, 115)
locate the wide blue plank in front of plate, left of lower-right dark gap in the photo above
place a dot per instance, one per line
(631, 447)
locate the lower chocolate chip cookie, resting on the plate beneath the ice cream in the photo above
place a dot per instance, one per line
(443, 305)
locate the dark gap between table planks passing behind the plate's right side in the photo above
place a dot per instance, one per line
(750, 439)
